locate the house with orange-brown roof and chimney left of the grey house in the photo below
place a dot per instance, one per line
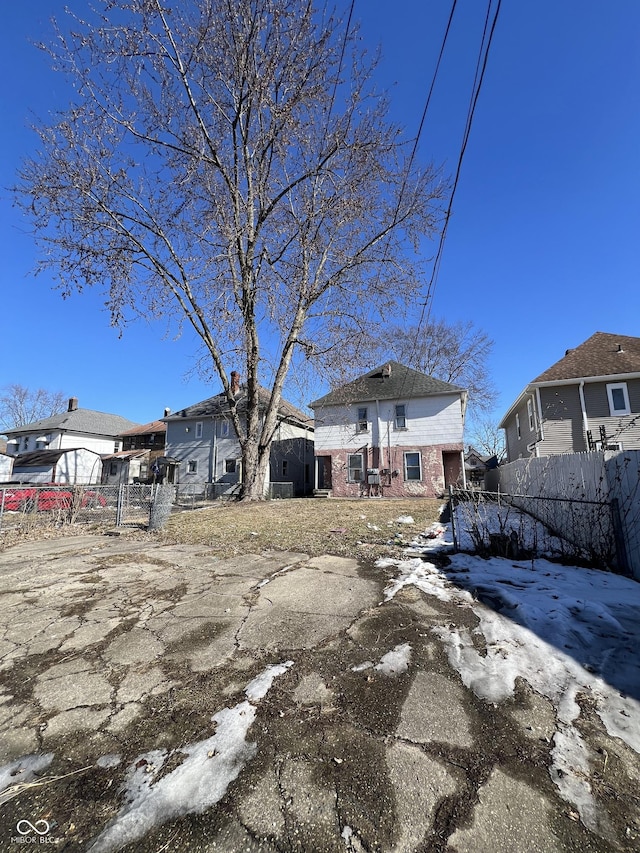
(142, 451)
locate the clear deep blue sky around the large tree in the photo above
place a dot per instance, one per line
(544, 245)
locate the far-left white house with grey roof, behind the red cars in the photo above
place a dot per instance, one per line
(74, 430)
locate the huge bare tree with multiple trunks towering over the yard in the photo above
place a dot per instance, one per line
(230, 164)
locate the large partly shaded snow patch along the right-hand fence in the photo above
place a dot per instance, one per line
(565, 630)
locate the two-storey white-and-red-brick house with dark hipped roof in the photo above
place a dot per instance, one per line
(394, 432)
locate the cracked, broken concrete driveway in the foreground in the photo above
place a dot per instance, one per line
(156, 698)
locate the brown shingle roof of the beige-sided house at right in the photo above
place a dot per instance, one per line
(603, 354)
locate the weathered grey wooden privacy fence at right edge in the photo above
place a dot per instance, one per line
(579, 480)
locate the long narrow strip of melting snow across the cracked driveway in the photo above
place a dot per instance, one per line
(198, 782)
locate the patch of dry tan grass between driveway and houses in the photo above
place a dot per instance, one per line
(313, 526)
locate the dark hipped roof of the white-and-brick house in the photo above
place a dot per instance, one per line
(390, 381)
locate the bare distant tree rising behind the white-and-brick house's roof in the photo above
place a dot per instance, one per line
(454, 352)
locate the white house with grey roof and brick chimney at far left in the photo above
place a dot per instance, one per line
(75, 429)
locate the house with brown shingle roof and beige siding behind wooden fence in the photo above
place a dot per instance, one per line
(589, 400)
